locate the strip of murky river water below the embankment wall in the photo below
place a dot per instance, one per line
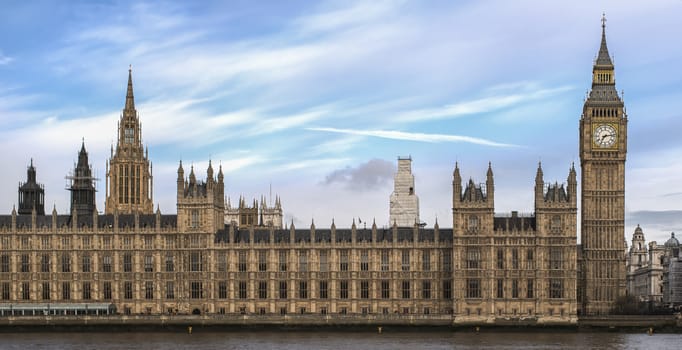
(339, 340)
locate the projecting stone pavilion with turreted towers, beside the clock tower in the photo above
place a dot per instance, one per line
(515, 267)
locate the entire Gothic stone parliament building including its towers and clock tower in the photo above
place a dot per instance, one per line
(215, 259)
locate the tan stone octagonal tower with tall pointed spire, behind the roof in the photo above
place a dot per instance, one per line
(129, 180)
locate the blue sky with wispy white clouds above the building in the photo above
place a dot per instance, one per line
(316, 100)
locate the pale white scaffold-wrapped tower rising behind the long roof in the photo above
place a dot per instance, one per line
(404, 203)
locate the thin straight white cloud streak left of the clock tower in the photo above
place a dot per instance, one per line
(415, 136)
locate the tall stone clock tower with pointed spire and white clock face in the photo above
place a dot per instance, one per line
(603, 146)
